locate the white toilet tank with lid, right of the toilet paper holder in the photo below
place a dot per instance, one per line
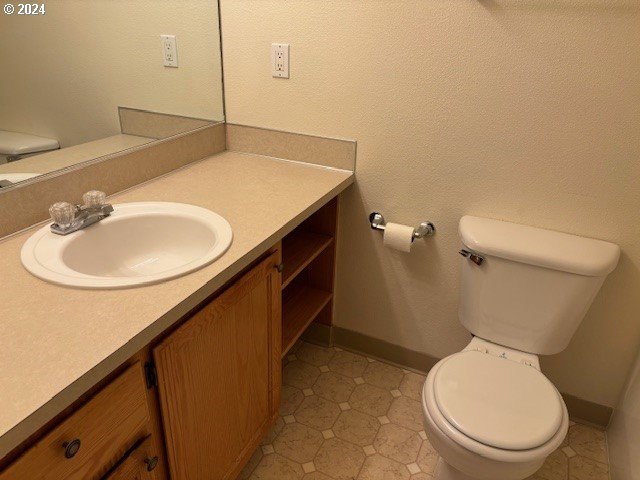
(533, 287)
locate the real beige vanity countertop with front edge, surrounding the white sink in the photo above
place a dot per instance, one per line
(57, 342)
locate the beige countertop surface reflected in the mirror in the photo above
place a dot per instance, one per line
(65, 157)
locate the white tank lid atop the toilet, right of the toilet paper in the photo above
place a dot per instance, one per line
(539, 247)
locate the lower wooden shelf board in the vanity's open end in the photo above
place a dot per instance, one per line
(300, 305)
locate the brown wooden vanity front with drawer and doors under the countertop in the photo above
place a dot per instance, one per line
(197, 403)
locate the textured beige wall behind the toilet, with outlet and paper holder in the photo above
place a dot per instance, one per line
(523, 110)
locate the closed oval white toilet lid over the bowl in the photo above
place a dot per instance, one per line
(498, 402)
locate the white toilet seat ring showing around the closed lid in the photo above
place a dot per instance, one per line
(473, 447)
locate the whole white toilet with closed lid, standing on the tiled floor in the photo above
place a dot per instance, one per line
(488, 410)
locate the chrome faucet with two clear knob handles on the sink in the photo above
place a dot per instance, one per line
(68, 218)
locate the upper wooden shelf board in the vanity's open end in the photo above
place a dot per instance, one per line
(300, 248)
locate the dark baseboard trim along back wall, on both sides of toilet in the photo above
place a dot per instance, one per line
(580, 410)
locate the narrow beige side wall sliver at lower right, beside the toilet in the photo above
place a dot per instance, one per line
(624, 432)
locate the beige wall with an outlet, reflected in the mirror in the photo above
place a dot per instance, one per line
(65, 73)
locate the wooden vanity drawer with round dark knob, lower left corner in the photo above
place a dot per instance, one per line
(106, 427)
